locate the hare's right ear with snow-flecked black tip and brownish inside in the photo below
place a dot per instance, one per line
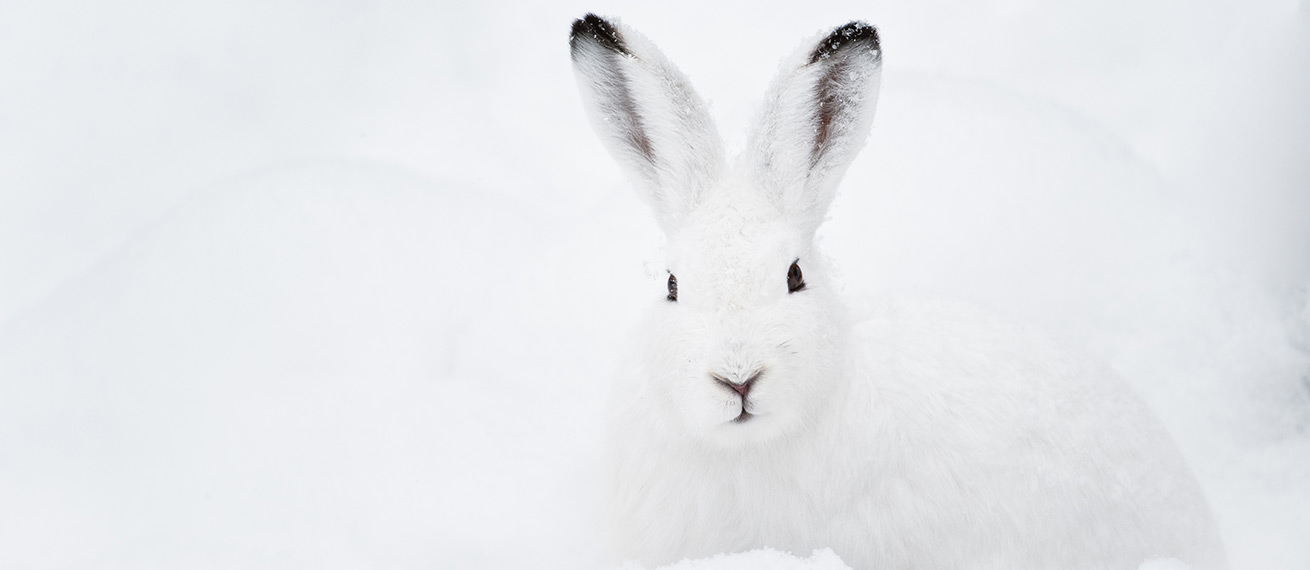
(815, 120)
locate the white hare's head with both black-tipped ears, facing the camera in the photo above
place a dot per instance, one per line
(750, 340)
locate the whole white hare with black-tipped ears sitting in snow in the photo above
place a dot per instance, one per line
(764, 415)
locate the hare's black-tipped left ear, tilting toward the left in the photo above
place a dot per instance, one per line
(648, 116)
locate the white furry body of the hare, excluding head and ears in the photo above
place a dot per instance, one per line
(957, 442)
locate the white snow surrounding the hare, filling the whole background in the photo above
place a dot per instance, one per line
(339, 285)
